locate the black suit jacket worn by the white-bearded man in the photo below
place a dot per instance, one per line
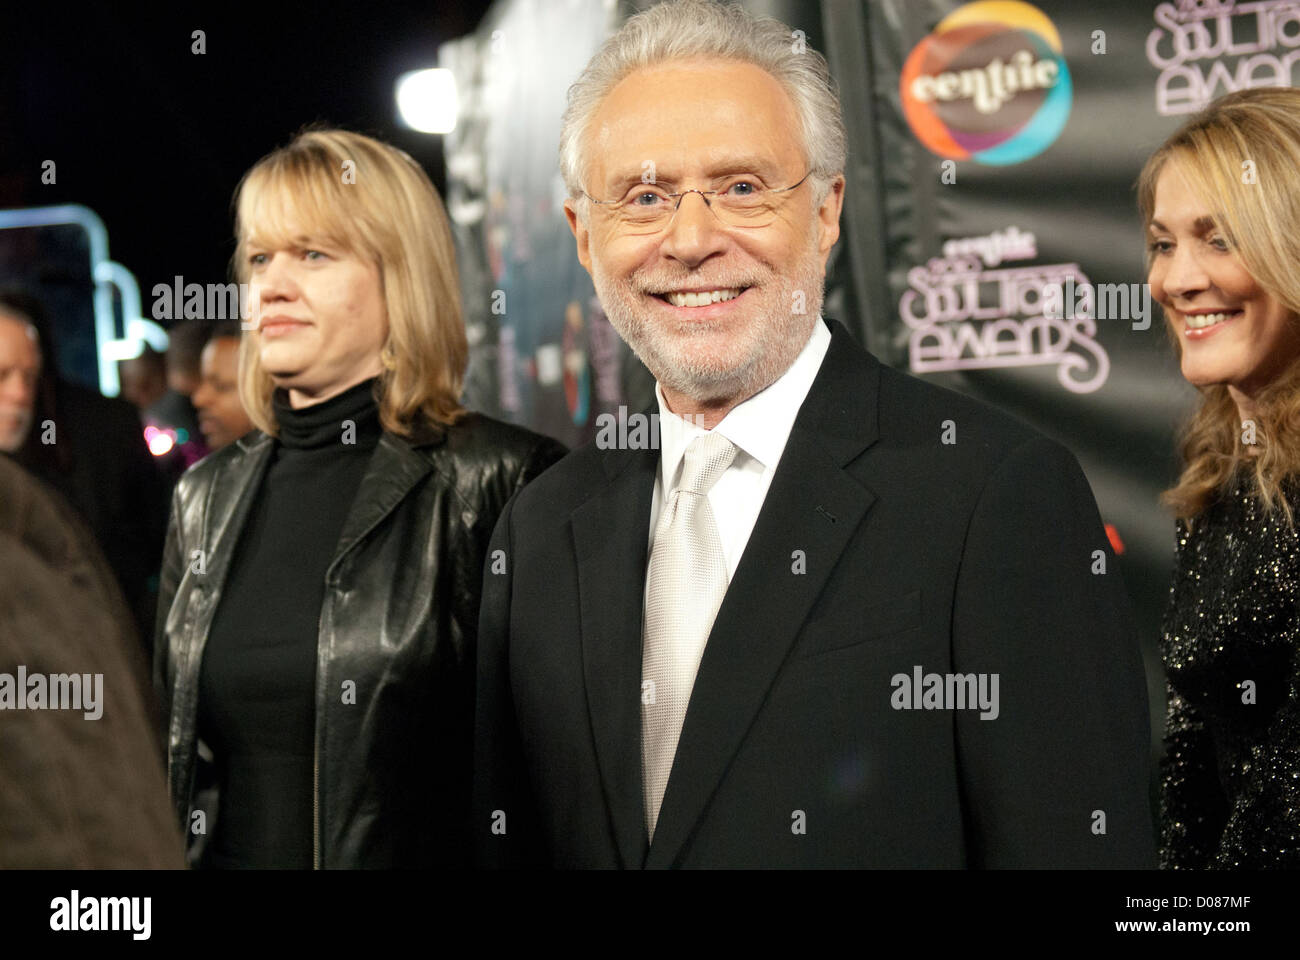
(976, 557)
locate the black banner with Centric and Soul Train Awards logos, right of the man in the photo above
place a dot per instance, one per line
(994, 227)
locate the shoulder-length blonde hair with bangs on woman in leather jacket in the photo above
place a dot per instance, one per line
(375, 202)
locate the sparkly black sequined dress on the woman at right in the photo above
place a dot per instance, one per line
(1230, 780)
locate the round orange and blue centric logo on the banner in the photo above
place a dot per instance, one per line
(989, 85)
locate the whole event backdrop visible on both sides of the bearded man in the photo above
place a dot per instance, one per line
(991, 241)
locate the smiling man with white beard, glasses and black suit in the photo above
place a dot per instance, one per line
(686, 654)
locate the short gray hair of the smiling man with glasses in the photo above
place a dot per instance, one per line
(688, 29)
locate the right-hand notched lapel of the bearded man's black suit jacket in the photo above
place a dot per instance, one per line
(813, 505)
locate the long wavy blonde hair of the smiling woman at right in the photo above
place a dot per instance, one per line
(1259, 220)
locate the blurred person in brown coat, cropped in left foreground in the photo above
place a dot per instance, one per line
(80, 789)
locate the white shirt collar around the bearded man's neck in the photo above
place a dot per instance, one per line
(760, 426)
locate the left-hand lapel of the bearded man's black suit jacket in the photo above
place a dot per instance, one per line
(610, 533)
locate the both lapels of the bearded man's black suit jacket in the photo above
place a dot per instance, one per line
(813, 505)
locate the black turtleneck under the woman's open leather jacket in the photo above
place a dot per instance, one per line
(257, 689)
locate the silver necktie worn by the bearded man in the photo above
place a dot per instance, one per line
(687, 583)
